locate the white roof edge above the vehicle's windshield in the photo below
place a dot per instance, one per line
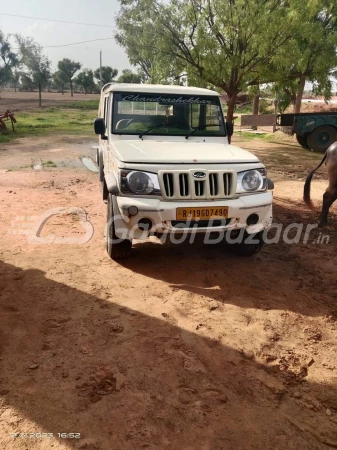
(156, 89)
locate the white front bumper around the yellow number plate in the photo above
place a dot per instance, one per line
(162, 213)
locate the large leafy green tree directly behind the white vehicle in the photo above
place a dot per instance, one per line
(231, 44)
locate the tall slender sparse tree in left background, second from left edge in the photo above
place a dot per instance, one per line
(36, 63)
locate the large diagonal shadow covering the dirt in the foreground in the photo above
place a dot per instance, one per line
(71, 362)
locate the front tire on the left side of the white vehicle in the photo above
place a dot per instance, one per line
(122, 248)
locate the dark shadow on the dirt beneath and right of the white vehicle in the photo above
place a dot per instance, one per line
(282, 277)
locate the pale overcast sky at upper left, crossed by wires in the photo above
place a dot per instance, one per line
(102, 12)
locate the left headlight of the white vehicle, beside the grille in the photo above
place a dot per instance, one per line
(141, 183)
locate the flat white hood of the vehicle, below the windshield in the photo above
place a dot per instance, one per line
(180, 152)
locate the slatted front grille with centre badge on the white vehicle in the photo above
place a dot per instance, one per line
(181, 185)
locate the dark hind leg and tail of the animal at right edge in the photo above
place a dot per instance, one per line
(330, 194)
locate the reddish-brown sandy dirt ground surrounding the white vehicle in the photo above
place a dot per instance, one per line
(179, 347)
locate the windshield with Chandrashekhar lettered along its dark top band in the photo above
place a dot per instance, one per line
(167, 114)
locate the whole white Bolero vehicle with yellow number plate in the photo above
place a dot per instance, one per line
(167, 168)
